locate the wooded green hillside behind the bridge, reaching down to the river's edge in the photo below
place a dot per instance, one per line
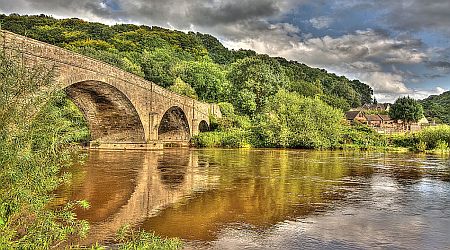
(253, 86)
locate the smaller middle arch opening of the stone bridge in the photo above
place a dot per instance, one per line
(174, 126)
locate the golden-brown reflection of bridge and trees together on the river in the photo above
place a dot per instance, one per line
(193, 193)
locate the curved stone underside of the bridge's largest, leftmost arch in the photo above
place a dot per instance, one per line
(109, 113)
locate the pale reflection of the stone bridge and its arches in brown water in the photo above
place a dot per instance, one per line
(128, 187)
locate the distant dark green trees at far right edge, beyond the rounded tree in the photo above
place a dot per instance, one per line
(436, 107)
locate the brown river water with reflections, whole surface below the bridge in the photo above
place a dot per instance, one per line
(268, 199)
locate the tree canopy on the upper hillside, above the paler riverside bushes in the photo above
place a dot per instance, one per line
(241, 77)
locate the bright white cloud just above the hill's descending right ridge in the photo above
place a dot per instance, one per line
(363, 55)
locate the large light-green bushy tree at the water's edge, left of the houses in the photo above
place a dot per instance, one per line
(291, 120)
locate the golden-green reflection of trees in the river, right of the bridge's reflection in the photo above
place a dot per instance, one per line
(260, 188)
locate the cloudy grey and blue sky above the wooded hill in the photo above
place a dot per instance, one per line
(397, 47)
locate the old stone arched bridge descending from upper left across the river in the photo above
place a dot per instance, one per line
(122, 110)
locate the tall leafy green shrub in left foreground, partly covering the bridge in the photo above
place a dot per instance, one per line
(35, 145)
